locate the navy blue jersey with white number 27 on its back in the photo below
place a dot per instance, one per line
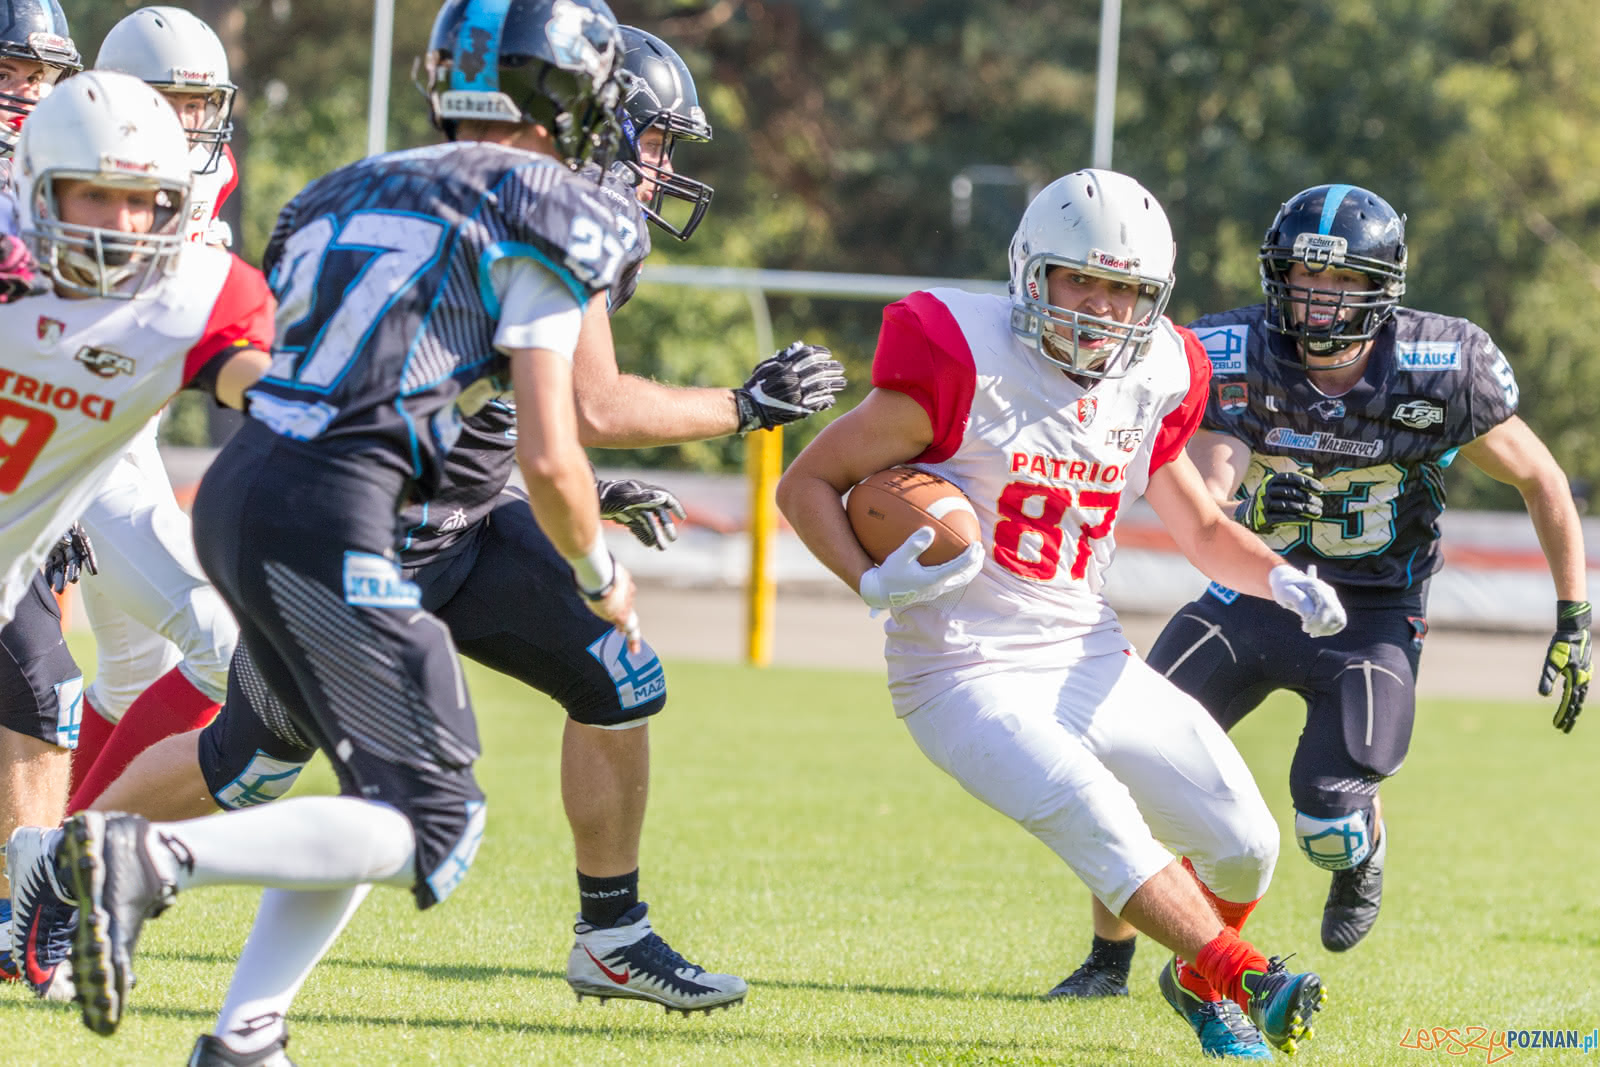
(386, 311)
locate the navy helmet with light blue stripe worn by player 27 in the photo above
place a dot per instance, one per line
(553, 63)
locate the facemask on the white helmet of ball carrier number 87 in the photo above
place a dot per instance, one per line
(1092, 346)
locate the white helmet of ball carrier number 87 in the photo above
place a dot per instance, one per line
(1106, 226)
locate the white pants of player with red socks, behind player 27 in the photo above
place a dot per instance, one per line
(151, 605)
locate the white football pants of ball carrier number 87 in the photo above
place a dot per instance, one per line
(1106, 762)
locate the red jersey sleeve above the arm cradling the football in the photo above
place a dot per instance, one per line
(924, 354)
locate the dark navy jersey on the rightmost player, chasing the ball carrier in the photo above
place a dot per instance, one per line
(1433, 385)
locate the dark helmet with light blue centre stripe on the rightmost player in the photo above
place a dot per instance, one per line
(1334, 228)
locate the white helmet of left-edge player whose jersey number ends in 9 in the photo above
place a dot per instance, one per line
(113, 130)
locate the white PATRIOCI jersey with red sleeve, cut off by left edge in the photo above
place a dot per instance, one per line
(81, 378)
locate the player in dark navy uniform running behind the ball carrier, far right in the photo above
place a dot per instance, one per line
(1334, 415)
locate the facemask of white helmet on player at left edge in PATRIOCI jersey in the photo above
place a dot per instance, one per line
(97, 262)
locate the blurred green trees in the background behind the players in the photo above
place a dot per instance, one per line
(841, 127)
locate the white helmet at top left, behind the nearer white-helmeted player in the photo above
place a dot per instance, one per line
(180, 55)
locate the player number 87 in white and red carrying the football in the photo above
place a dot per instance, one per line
(1009, 668)
